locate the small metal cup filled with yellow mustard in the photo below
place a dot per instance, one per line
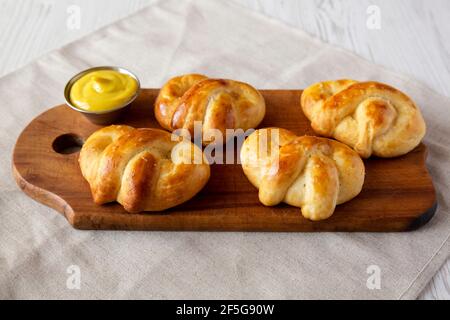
(102, 94)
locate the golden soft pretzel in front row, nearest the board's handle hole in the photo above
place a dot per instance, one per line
(142, 169)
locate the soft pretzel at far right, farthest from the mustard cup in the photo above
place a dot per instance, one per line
(371, 117)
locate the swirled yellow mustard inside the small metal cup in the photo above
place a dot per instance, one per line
(102, 90)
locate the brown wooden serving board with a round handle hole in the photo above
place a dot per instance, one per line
(398, 194)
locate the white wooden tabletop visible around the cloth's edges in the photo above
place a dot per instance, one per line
(410, 36)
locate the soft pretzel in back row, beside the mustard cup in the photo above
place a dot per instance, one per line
(219, 104)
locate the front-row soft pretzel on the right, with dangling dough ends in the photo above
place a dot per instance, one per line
(312, 173)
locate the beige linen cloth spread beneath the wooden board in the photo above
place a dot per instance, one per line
(219, 39)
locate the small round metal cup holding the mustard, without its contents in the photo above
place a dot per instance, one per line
(102, 117)
